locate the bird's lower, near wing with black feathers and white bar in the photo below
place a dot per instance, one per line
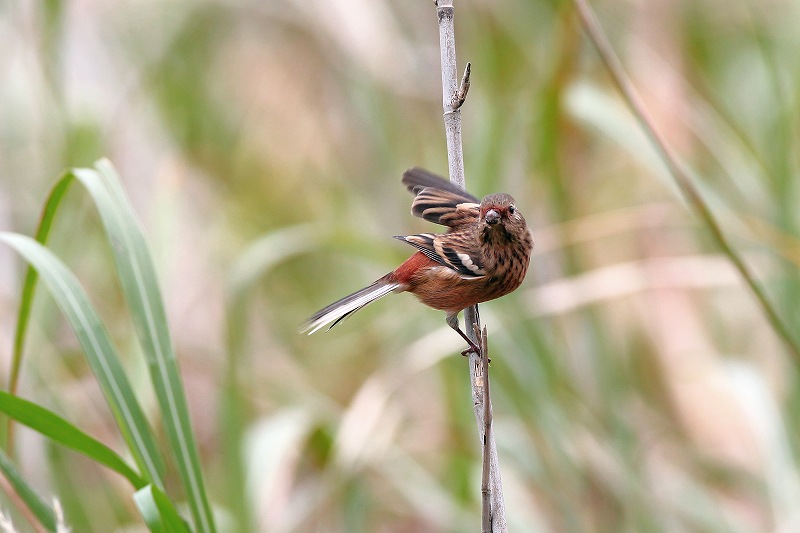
(452, 250)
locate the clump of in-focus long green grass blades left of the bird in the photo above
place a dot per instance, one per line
(137, 277)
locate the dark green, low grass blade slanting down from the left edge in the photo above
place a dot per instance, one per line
(56, 428)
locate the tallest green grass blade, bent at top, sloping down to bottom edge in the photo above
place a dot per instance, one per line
(140, 285)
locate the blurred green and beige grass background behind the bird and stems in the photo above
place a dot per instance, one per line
(637, 386)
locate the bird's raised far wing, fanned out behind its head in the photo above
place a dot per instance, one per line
(437, 200)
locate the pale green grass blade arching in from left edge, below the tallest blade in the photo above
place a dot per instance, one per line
(100, 352)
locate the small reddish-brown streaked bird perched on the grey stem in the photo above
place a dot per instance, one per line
(484, 254)
